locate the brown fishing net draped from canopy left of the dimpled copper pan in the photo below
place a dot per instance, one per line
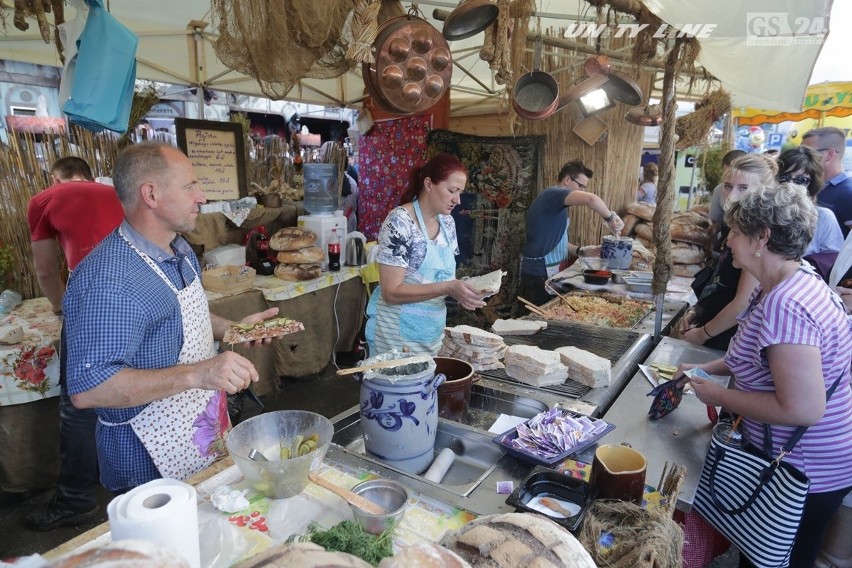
(280, 43)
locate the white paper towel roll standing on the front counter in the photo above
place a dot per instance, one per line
(164, 511)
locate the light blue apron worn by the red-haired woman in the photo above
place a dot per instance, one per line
(419, 325)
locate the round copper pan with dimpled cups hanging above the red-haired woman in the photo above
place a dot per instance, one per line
(413, 65)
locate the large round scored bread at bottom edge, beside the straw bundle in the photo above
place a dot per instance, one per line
(513, 540)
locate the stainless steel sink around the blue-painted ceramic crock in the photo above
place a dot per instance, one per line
(476, 454)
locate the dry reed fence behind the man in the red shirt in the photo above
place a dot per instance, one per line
(23, 174)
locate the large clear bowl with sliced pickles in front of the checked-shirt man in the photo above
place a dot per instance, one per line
(278, 478)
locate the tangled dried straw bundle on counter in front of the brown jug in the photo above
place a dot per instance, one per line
(639, 538)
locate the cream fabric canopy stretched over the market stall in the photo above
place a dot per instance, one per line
(762, 51)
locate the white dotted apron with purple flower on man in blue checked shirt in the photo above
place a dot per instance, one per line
(184, 433)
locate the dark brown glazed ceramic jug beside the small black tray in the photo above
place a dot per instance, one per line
(619, 473)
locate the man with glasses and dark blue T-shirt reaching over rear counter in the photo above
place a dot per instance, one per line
(547, 245)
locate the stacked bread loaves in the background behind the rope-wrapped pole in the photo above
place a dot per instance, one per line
(690, 234)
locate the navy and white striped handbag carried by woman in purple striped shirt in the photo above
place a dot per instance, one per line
(755, 501)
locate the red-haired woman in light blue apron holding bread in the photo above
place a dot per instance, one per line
(417, 266)
